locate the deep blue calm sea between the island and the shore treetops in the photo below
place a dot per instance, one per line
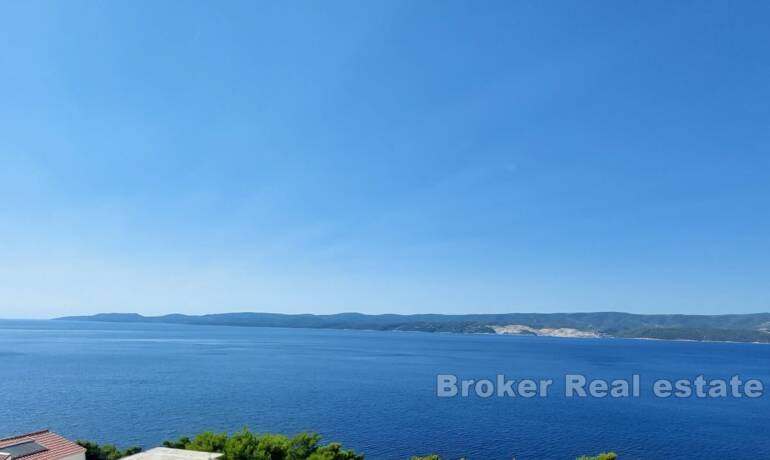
(140, 384)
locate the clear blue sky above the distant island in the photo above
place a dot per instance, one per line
(385, 156)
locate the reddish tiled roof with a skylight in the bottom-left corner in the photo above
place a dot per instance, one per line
(52, 447)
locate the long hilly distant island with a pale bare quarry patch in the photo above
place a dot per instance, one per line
(721, 328)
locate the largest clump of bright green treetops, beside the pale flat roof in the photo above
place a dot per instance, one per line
(246, 445)
